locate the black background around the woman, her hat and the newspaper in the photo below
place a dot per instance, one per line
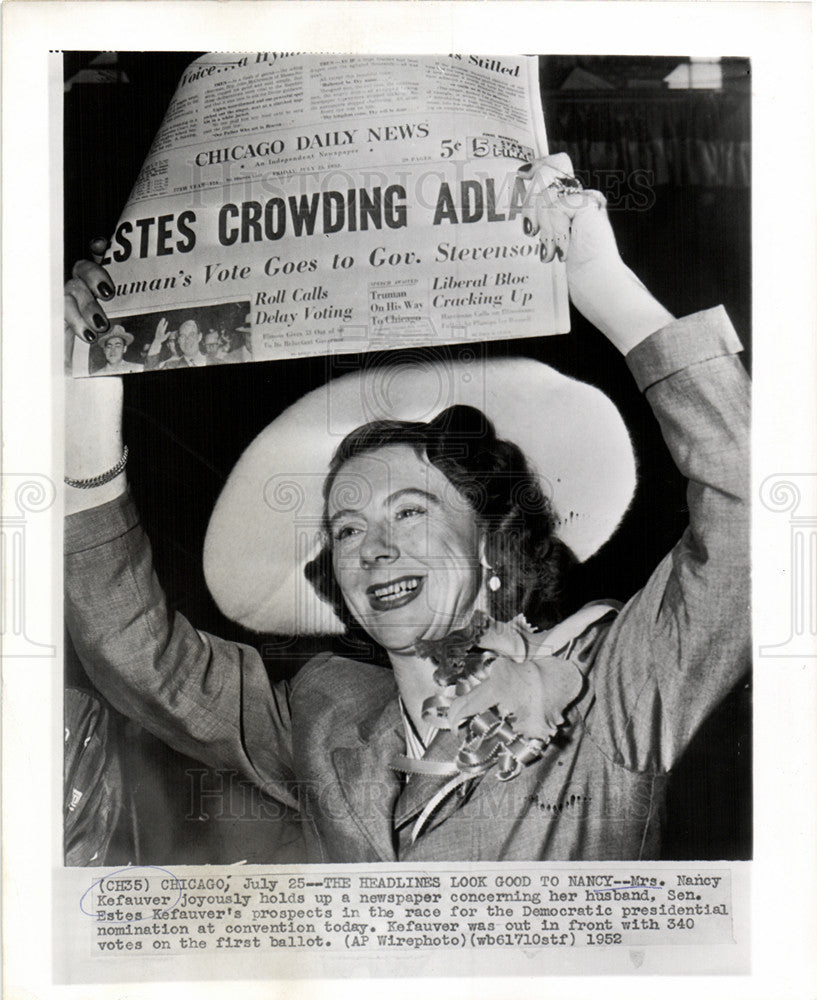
(186, 430)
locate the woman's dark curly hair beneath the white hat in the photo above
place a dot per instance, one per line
(493, 475)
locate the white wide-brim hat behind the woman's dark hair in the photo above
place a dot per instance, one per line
(266, 525)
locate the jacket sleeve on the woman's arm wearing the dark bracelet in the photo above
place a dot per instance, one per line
(207, 698)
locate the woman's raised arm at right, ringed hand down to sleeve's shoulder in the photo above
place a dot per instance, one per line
(682, 642)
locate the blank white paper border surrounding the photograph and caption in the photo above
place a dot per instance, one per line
(777, 37)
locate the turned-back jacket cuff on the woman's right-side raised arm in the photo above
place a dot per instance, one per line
(688, 341)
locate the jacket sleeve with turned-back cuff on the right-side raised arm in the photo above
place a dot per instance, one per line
(682, 642)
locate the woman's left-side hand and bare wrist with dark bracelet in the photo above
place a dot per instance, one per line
(93, 406)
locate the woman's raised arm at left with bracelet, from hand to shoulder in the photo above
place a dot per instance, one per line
(206, 697)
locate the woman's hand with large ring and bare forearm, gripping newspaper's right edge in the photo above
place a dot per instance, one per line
(572, 225)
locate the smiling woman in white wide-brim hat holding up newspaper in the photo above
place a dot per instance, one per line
(488, 716)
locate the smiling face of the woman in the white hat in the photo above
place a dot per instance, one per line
(405, 547)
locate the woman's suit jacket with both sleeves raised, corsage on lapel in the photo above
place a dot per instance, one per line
(322, 745)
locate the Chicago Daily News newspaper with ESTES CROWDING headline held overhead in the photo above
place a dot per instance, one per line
(298, 205)
